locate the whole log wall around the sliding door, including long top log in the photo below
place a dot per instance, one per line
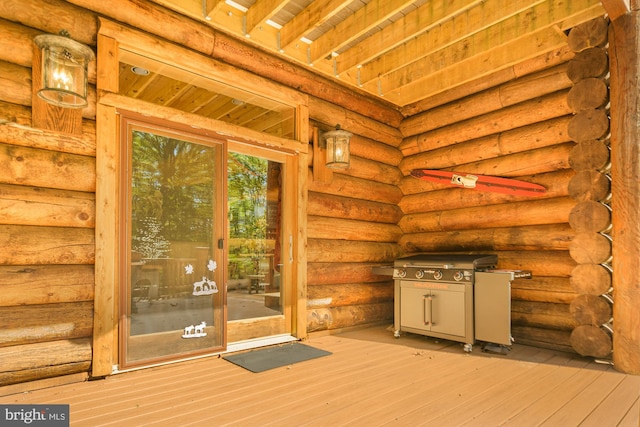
(47, 192)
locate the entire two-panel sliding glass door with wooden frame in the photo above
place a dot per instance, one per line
(208, 255)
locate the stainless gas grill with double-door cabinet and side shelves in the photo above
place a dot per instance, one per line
(439, 295)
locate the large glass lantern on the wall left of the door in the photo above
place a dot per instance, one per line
(64, 70)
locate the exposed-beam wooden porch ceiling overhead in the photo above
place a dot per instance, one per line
(401, 51)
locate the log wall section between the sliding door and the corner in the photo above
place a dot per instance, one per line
(352, 224)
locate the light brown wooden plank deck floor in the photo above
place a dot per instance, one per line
(371, 379)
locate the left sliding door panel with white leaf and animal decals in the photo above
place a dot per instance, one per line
(173, 295)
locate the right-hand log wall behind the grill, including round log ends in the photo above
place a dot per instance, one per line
(537, 127)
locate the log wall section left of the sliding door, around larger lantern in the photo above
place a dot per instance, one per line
(47, 237)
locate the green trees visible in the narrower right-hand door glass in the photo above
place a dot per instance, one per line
(247, 196)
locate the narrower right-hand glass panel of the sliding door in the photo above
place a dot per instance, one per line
(256, 294)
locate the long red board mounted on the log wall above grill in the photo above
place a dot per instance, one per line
(481, 182)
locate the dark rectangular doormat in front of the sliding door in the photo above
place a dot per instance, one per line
(275, 357)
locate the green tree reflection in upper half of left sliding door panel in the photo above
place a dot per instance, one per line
(172, 183)
